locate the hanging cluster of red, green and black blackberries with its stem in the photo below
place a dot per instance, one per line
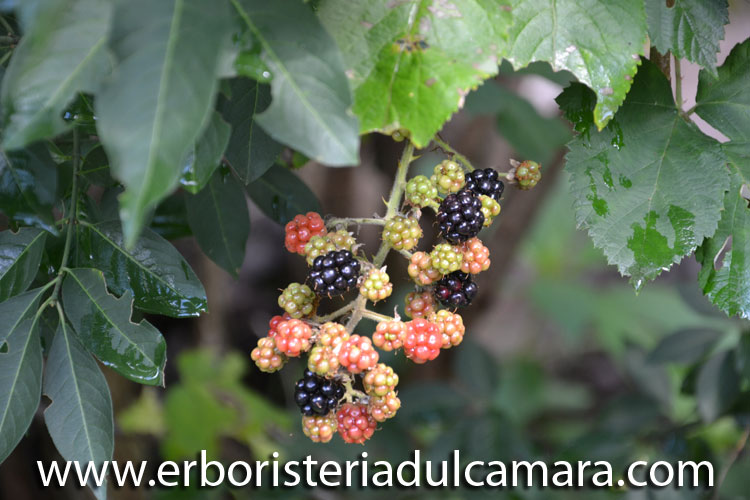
(340, 361)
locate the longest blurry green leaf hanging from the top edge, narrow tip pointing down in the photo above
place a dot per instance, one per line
(160, 95)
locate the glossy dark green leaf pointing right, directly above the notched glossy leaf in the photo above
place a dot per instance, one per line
(158, 277)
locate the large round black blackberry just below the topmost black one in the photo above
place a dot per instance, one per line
(460, 216)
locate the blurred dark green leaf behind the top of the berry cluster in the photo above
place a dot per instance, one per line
(531, 135)
